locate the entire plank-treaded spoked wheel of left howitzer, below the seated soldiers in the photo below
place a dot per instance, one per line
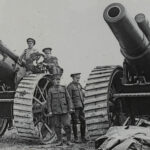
(30, 109)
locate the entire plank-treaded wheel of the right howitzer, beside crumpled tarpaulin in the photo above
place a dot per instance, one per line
(100, 112)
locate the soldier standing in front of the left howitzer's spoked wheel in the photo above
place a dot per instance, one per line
(59, 107)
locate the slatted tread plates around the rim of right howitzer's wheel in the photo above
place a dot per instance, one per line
(96, 104)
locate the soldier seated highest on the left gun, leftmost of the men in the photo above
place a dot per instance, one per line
(29, 56)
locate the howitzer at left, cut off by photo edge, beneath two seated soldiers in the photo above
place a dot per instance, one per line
(23, 97)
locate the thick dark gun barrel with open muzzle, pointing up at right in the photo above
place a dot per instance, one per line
(132, 39)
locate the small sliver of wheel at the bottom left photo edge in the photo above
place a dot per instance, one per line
(3, 126)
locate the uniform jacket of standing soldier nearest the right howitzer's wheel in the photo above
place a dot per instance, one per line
(76, 93)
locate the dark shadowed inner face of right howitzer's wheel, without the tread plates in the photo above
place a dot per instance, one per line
(116, 116)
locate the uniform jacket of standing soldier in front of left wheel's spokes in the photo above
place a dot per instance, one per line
(59, 101)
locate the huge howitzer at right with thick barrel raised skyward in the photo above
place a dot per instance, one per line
(120, 95)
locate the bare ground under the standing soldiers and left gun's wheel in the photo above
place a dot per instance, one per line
(11, 141)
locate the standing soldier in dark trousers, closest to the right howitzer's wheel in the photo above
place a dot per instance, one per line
(76, 92)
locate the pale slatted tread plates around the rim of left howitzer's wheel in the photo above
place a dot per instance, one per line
(23, 117)
